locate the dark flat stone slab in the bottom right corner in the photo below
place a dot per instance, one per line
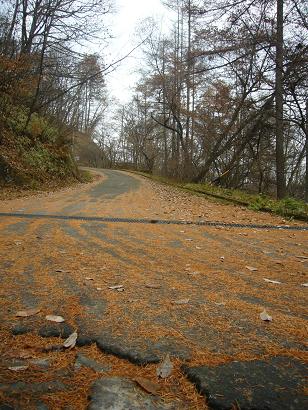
(276, 384)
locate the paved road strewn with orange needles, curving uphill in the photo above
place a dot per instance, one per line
(195, 292)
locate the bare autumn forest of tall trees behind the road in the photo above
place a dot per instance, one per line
(221, 98)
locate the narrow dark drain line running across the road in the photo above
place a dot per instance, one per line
(153, 221)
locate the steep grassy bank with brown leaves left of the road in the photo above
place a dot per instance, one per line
(34, 154)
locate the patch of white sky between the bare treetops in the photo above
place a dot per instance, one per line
(123, 27)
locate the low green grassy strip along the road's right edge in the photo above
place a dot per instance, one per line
(289, 208)
